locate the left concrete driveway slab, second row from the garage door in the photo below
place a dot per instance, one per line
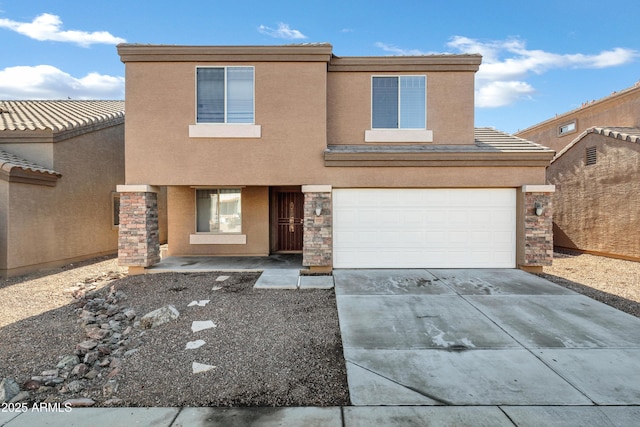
(416, 321)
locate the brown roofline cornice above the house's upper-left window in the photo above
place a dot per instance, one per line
(312, 52)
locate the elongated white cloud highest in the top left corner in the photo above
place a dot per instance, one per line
(48, 27)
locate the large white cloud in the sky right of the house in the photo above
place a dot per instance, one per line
(506, 64)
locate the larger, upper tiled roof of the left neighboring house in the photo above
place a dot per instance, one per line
(51, 121)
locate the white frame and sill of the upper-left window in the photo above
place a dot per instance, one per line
(225, 129)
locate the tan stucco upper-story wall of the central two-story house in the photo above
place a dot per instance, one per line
(292, 109)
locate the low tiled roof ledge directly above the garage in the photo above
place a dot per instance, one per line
(491, 148)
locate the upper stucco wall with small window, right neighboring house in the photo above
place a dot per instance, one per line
(621, 109)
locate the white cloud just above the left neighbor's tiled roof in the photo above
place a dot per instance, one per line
(48, 82)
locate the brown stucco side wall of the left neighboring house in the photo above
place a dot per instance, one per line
(50, 226)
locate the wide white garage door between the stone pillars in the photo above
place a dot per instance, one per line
(424, 228)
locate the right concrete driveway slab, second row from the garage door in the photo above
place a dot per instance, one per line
(560, 321)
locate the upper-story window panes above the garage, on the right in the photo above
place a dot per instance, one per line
(399, 102)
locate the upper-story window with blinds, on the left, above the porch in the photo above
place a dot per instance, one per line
(225, 95)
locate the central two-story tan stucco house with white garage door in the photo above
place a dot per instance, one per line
(357, 162)
